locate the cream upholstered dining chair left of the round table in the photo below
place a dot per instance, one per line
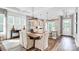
(25, 41)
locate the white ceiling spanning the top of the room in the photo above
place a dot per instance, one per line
(41, 12)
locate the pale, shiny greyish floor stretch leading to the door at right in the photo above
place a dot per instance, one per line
(67, 44)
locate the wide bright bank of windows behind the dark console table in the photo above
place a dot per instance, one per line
(17, 21)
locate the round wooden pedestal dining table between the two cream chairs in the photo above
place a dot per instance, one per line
(34, 36)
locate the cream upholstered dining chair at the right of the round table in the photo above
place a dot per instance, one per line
(42, 43)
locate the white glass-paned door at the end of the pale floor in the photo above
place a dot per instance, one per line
(67, 27)
